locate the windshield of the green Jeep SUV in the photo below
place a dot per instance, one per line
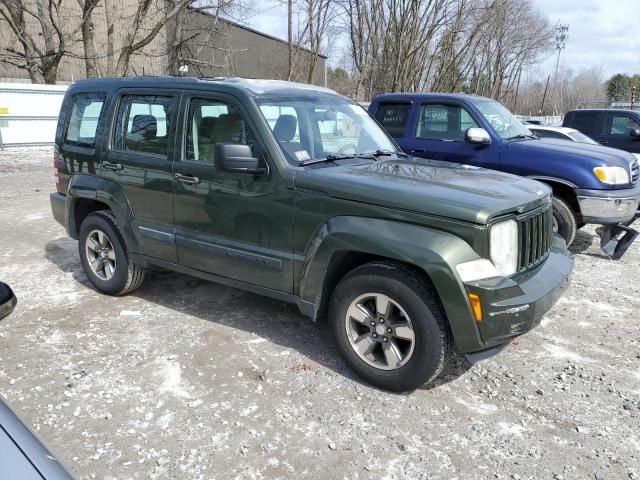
(309, 128)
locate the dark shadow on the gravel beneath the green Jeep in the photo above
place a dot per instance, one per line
(273, 320)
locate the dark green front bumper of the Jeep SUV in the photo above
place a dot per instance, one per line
(513, 306)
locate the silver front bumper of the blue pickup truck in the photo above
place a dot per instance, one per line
(605, 207)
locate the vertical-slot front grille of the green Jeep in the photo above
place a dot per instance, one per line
(535, 234)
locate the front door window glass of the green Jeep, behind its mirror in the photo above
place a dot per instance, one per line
(211, 122)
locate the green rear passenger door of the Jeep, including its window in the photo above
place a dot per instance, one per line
(139, 158)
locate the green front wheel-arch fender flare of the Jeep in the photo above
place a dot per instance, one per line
(433, 251)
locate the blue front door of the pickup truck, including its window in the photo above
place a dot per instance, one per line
(439, 134)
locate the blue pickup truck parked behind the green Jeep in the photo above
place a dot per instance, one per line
(591, 183)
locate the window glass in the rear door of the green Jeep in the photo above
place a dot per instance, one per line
(143, 124)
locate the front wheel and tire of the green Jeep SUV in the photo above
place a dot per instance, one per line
(388, 326)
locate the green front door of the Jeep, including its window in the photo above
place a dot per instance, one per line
(235, 225)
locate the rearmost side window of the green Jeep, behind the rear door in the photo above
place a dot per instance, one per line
(83, 121)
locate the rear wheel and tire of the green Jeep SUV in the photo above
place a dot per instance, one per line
(104, 255)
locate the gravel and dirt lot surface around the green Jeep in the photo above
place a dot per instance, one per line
(188, 379)
